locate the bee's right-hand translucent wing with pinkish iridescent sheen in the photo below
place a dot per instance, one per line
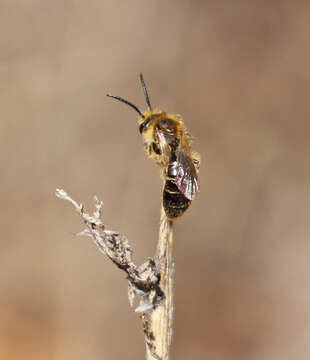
(187, 177)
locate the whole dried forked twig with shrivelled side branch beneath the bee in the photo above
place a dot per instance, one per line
(151, 282)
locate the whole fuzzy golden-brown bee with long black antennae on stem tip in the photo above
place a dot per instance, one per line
(168, 143)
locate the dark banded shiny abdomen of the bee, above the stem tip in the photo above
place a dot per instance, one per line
(174, 202)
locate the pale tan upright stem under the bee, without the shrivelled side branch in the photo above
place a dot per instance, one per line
(160, 320)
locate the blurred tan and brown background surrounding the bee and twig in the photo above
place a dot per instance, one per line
(239, 74)
